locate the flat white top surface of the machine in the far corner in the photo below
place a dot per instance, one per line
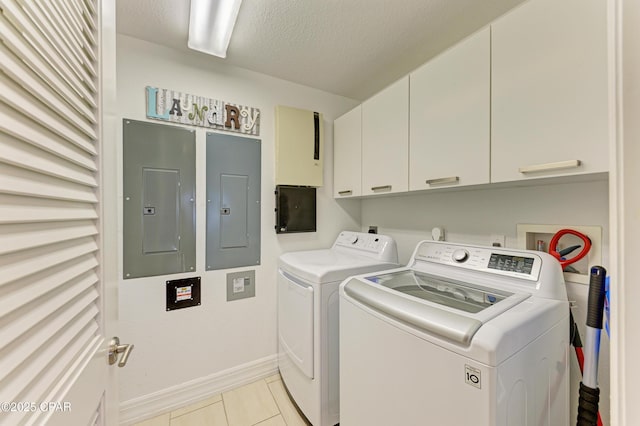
(329, 265)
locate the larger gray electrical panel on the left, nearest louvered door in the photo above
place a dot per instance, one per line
(159, 199)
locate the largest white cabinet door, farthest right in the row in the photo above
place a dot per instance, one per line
(550, 90)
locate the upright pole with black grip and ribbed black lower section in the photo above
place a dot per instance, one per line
(589, 392)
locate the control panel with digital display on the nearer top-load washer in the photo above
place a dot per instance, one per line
(493, 260)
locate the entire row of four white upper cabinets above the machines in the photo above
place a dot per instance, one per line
(528, 97)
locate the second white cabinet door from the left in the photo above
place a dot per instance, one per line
(385, 140)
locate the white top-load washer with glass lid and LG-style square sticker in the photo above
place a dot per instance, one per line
(463, 335)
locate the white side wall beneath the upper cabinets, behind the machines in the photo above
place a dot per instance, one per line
(471, 216)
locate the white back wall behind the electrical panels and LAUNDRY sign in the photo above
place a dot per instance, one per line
(172, 348)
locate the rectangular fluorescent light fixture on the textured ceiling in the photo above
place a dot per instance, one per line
(211, 24)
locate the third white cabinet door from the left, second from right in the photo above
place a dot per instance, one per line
(450, 123)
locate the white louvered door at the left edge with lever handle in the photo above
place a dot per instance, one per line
(53, 365)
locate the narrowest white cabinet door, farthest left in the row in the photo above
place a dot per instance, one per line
(347, 154)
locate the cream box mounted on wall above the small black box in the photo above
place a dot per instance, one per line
(299, 147)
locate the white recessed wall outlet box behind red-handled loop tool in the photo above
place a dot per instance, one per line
(532, 236)
